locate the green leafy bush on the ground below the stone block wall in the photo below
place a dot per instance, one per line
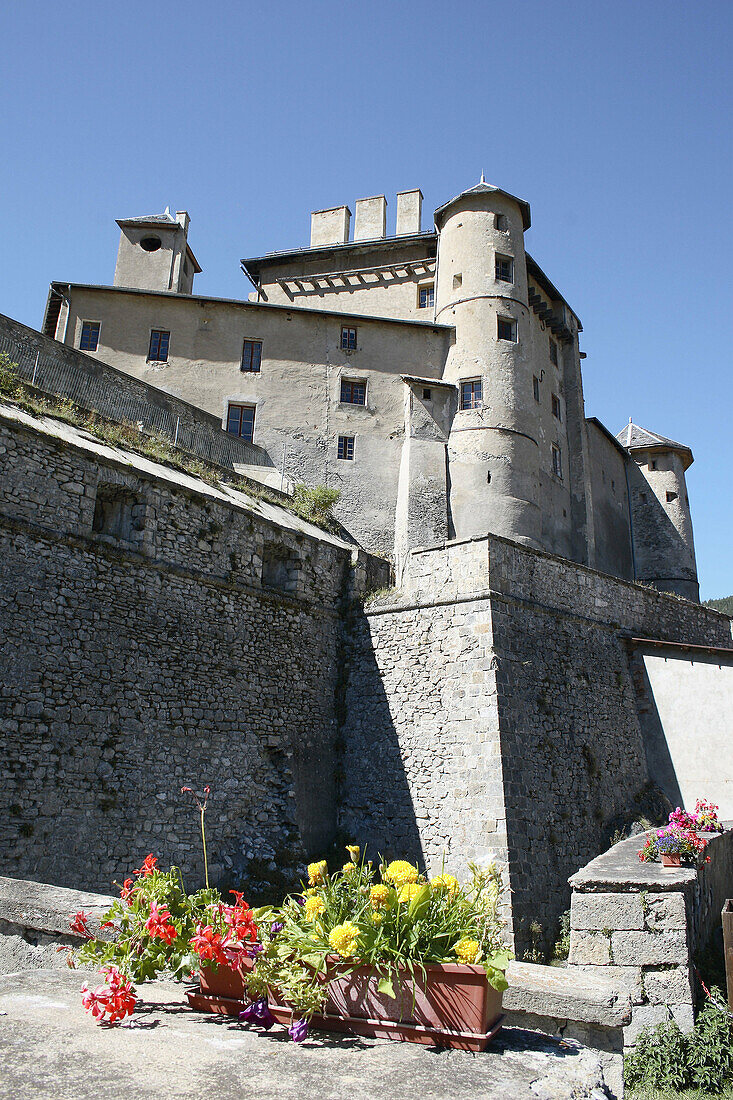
(668, 1059)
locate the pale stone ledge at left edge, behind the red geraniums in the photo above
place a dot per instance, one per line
(48, 909)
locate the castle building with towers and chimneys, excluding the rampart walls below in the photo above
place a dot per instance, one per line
(433, 377)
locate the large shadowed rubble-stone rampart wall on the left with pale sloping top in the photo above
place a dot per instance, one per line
(199, 646)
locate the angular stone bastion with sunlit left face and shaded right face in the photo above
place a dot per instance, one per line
(509, 670)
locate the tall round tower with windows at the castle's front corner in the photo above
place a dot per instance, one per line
(482, 288)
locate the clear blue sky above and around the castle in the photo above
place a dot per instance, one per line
(614, 120)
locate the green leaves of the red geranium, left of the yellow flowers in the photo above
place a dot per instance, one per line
(134, 951)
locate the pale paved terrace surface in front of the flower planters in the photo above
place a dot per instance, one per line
(52, 1050)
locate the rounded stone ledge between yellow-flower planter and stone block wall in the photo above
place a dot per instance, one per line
(565, 995)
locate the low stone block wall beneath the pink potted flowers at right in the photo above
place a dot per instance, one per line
(640, 927)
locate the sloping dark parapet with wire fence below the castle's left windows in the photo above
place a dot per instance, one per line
(100, 389)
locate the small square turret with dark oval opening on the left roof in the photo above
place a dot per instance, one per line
(155, 254)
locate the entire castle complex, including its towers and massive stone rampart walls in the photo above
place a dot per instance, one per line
(517, 694)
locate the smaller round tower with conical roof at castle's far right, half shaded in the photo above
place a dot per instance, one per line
(662, 526)
